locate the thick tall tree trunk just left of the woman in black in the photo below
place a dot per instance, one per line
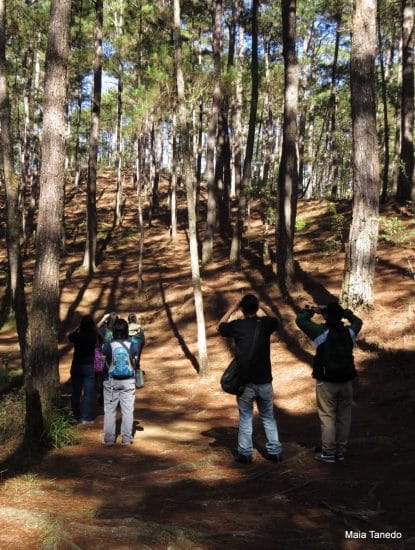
(42, 378)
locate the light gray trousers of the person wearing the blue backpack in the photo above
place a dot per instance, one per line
(120, 392)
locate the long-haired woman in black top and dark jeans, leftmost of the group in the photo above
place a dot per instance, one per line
(85, 339)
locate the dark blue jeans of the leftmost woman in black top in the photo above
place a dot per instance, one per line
(83, 391)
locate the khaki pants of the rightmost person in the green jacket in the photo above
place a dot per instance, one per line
(334, 403)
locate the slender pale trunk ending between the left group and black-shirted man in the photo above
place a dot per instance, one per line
(190, 195)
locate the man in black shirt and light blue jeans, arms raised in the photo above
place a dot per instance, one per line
(252, 340)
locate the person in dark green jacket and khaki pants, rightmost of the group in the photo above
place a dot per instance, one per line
(334, 370)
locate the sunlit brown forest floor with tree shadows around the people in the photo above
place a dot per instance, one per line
(177, 486)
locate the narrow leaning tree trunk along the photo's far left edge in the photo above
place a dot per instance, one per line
(13, 228)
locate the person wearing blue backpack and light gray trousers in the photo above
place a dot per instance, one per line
(119, 383)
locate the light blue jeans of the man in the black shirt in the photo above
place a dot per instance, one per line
(263, 395)
